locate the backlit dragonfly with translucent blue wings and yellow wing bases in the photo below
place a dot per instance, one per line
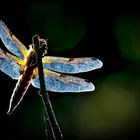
(17, 62)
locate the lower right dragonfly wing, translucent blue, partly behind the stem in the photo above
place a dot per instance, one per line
(63, 83)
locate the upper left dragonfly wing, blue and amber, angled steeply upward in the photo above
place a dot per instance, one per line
(11, 42)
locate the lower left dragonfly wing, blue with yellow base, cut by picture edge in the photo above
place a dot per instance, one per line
(10, 65)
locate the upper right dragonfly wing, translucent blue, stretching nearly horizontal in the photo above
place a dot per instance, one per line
(71, 65)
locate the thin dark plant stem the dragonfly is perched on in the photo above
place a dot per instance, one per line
(57, 134)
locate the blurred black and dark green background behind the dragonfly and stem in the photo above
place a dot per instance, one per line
(109, 31)
